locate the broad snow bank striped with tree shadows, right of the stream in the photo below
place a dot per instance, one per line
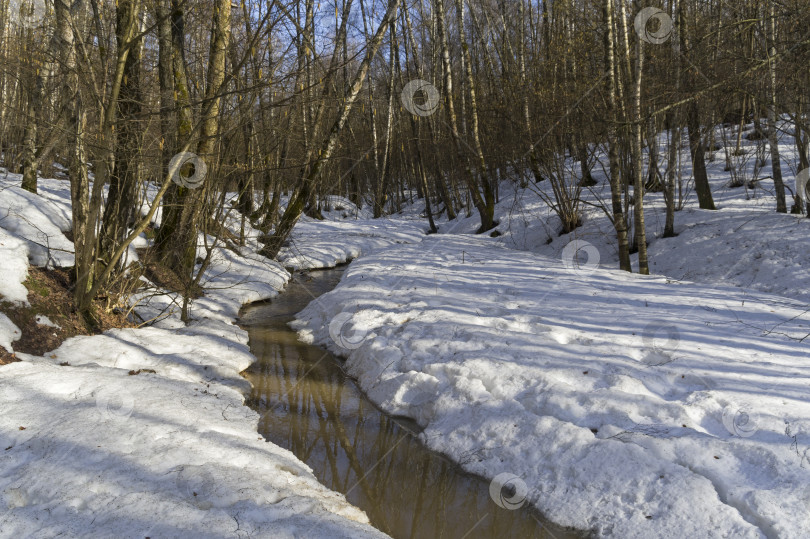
(631, 406)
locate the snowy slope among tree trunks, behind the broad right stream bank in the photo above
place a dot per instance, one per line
(744, 243)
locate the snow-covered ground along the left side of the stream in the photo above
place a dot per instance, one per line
(143, 432)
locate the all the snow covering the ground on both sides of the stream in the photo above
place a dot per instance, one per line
(672, 405)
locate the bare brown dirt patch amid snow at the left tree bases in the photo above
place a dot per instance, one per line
(51, 317)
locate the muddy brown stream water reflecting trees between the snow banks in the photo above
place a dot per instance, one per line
(312, 408)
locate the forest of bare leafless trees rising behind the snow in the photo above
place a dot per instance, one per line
(305, 100)
